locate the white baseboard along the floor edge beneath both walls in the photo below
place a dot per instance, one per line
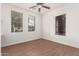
(47, 38)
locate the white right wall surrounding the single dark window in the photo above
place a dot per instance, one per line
(72, 25)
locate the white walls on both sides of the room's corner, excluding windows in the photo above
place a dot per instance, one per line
(45, 25)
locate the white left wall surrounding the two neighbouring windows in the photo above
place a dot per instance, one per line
(9, 38)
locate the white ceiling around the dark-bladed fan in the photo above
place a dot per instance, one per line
(27, 5)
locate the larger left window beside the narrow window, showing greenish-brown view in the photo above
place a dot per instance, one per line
(16, 21)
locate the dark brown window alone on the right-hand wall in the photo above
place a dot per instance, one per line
(60, 23)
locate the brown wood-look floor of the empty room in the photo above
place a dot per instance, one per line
(40, 47)
